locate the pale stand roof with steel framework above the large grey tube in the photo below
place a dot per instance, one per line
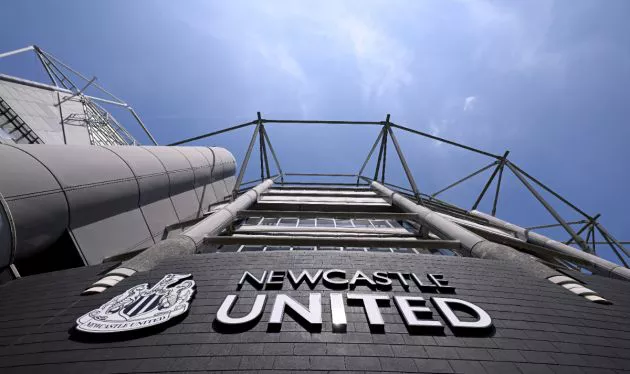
(77, 110)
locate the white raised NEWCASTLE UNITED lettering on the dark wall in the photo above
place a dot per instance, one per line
(414, 310)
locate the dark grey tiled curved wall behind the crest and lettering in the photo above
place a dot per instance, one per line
(539, 327)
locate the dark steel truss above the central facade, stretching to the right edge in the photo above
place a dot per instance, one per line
(584, 237)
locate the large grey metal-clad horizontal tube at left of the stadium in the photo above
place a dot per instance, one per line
(113, 199)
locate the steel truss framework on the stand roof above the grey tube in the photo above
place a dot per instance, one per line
(102, 127)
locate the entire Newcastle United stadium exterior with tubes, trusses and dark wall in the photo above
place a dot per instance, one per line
(118, 257)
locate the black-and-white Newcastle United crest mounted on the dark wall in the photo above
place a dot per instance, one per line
(140, 306)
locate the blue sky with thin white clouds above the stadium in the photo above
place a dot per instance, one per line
(546, 80)
